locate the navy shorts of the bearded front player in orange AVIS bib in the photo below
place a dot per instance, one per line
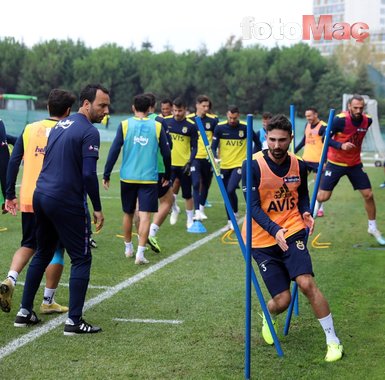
(279, 268)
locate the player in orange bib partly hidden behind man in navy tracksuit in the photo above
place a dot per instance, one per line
(30, 147)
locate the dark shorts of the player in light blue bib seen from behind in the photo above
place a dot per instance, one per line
(145, 193)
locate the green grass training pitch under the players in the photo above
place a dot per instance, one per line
(204, 291)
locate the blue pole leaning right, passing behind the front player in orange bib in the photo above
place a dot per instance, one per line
(312, 204)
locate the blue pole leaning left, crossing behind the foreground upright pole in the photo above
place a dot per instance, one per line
(218, 177)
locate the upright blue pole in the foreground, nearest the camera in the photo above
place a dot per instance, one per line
(249, 157)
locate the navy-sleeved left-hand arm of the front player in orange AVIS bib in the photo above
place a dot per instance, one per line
(256, 211)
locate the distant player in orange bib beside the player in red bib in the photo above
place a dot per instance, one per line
(313, 143)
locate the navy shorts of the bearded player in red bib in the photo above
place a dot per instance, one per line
(333, 173)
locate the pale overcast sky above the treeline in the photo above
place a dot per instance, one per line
(170, 23)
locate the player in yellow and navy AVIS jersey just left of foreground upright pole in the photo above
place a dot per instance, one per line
(230, 137)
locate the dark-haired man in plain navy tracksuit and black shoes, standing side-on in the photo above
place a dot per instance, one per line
(59, 202)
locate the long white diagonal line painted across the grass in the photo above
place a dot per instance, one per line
(15, 344)
